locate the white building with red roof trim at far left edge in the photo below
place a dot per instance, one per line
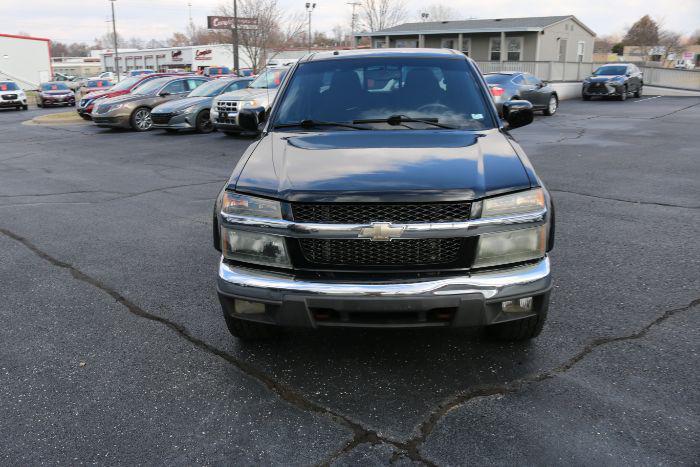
(25, 60)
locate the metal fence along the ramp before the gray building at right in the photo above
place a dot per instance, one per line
(577, 71)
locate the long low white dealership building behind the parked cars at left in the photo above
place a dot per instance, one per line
(188, 58)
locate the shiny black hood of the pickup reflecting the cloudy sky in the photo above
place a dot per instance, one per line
(396, 165)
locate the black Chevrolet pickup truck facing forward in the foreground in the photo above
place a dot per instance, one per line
(384, 191)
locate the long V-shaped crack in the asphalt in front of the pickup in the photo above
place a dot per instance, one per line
(361, 435)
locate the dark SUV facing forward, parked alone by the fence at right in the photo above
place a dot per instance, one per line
(614, 80)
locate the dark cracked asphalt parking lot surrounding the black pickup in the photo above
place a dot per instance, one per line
(113, 348)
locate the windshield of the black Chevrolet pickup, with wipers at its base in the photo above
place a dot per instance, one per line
(442, 90)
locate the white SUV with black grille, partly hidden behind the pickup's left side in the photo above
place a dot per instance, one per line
(260, 93)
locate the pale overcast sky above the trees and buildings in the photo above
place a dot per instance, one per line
(83, 20)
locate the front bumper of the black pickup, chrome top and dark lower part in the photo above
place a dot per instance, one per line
(474, 299)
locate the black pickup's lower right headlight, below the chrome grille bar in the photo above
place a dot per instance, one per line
(510, 247)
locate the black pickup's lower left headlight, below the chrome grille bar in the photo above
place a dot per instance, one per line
(253, 247)
